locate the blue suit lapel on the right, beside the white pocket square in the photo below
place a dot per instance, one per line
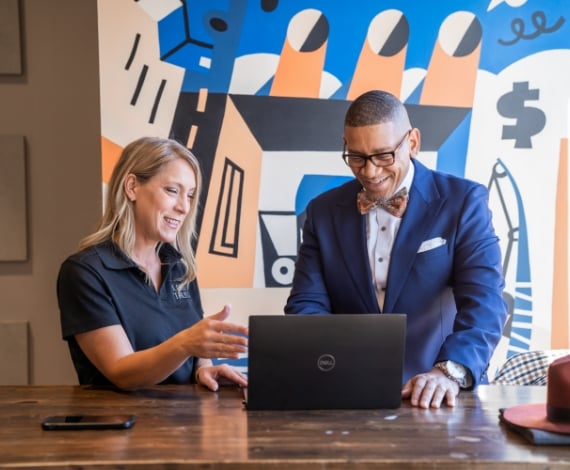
(424, 204)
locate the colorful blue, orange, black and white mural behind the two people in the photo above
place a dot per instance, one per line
(258, 90)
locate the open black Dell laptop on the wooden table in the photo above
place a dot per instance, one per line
(339, 361)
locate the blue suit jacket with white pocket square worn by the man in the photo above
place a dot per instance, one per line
(452, 294)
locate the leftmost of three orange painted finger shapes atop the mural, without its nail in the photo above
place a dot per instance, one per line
(299, 74)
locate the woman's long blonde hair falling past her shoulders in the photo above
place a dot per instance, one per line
(145, 158)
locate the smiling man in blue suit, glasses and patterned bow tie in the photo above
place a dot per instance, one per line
(405, 239)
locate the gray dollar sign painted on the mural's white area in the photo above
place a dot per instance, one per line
(530, 121)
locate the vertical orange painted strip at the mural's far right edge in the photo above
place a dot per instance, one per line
(560, 329)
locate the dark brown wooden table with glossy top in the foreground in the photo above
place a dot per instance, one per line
(188, 426)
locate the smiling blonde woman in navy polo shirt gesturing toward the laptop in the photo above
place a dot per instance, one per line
(129, 300)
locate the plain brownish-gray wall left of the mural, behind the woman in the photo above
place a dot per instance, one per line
(55, 105)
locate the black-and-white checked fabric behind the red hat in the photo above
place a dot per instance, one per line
(528, 368)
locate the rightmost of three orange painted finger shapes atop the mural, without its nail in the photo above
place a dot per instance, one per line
(450, 81)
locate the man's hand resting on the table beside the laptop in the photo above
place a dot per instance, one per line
(429, 389)
